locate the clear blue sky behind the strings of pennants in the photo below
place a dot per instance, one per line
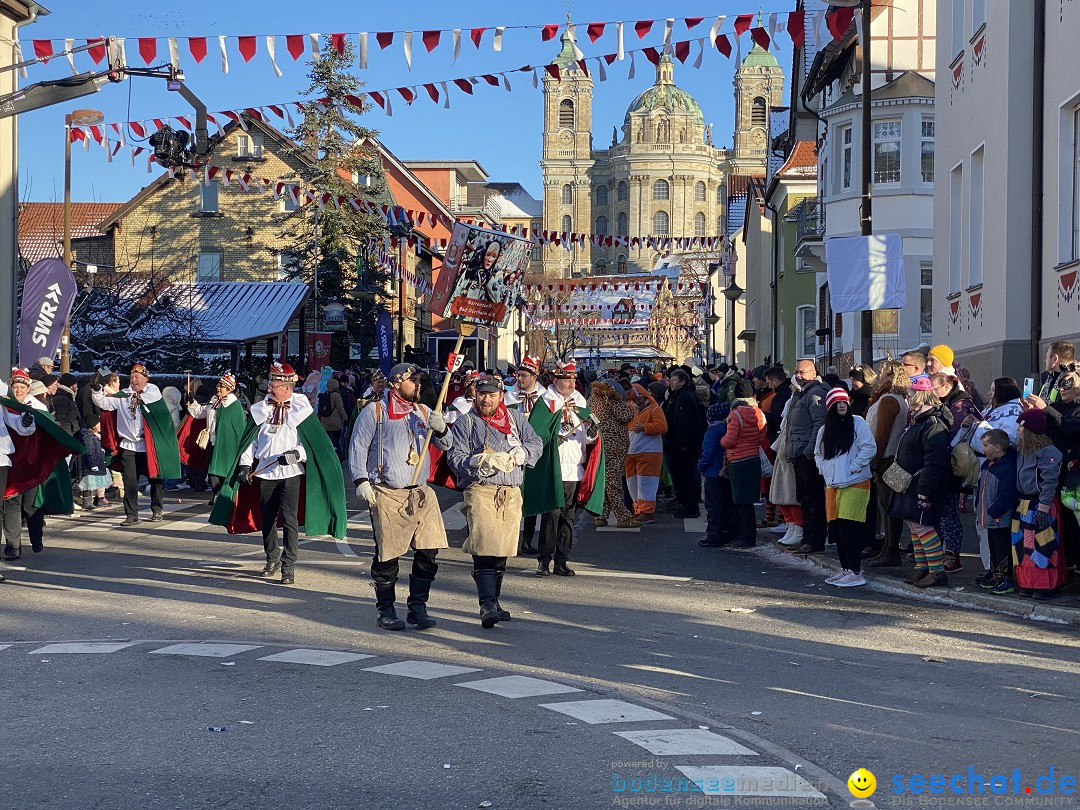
(499, 130)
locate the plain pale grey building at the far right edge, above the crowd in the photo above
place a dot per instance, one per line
(1009, 133)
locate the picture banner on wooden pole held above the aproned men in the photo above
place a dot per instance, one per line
(481, 277)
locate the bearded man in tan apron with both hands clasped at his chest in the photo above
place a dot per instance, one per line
(491, 447)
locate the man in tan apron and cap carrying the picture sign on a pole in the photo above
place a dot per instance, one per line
(384, 455)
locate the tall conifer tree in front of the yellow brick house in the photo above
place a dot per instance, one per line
(330, 244)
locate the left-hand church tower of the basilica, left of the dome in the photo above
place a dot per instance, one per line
(568, 159)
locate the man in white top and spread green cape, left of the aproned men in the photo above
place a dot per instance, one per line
(282, 449)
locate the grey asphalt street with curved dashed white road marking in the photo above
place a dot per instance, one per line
(660, 658)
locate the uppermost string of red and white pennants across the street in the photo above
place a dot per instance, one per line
(299, 46)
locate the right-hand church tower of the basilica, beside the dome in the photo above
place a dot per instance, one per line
(760, 87)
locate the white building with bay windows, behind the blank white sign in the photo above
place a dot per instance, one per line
(902, 110)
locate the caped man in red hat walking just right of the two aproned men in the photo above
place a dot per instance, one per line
(571, 474)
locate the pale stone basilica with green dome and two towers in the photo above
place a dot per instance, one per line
(661, 177)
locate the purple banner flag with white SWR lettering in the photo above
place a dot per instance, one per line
(48, 295)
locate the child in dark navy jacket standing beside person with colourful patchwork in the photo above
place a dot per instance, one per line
(996, 501)
